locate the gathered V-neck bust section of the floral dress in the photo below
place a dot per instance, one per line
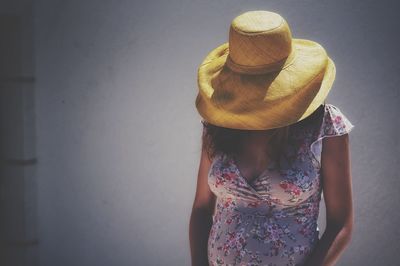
(289, 185)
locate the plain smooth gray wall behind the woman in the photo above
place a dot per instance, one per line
(118, 136)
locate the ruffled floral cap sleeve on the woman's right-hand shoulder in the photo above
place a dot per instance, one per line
(334, 123)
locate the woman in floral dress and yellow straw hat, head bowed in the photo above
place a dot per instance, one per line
(271, 146)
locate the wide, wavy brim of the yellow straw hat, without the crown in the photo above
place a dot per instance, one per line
(264, 101)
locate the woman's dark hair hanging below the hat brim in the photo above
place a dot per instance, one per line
(230, 141)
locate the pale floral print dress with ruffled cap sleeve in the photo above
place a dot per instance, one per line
(273, 219)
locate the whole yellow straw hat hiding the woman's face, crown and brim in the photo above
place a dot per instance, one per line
(262, 78)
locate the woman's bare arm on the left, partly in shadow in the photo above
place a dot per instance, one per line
(201, 216)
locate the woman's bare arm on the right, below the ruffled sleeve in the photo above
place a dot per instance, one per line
(337, 190)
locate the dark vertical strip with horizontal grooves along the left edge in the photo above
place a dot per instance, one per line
(18, 198)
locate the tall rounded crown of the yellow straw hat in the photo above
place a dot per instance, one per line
(258, 39)
